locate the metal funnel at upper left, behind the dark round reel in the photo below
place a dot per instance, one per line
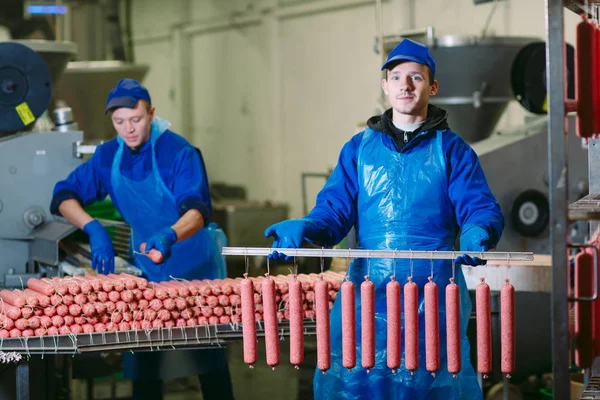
(56, 54)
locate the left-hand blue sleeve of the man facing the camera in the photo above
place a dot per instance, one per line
(335, 211)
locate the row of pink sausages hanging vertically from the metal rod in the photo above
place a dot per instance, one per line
(322, 305)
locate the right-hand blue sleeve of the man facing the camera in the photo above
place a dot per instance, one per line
(473, 201)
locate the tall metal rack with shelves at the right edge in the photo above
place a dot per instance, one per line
(561, 213)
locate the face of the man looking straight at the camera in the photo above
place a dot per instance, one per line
(408, 88)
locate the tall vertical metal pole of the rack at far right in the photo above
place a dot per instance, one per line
(557, 167)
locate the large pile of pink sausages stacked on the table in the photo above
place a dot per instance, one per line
(101, 303)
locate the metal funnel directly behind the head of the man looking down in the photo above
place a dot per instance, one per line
(85, 86)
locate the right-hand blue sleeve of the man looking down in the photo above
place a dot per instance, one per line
(190, 183)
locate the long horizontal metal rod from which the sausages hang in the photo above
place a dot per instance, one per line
(358, 253)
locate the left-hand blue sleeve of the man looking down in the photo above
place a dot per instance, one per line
(84, 184)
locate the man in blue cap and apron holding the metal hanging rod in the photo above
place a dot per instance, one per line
(406, 182)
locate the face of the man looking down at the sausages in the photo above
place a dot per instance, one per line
(133, 124)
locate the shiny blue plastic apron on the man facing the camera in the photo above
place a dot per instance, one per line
(403, 204)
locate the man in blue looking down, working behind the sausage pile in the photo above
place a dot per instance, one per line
(157, 182)
